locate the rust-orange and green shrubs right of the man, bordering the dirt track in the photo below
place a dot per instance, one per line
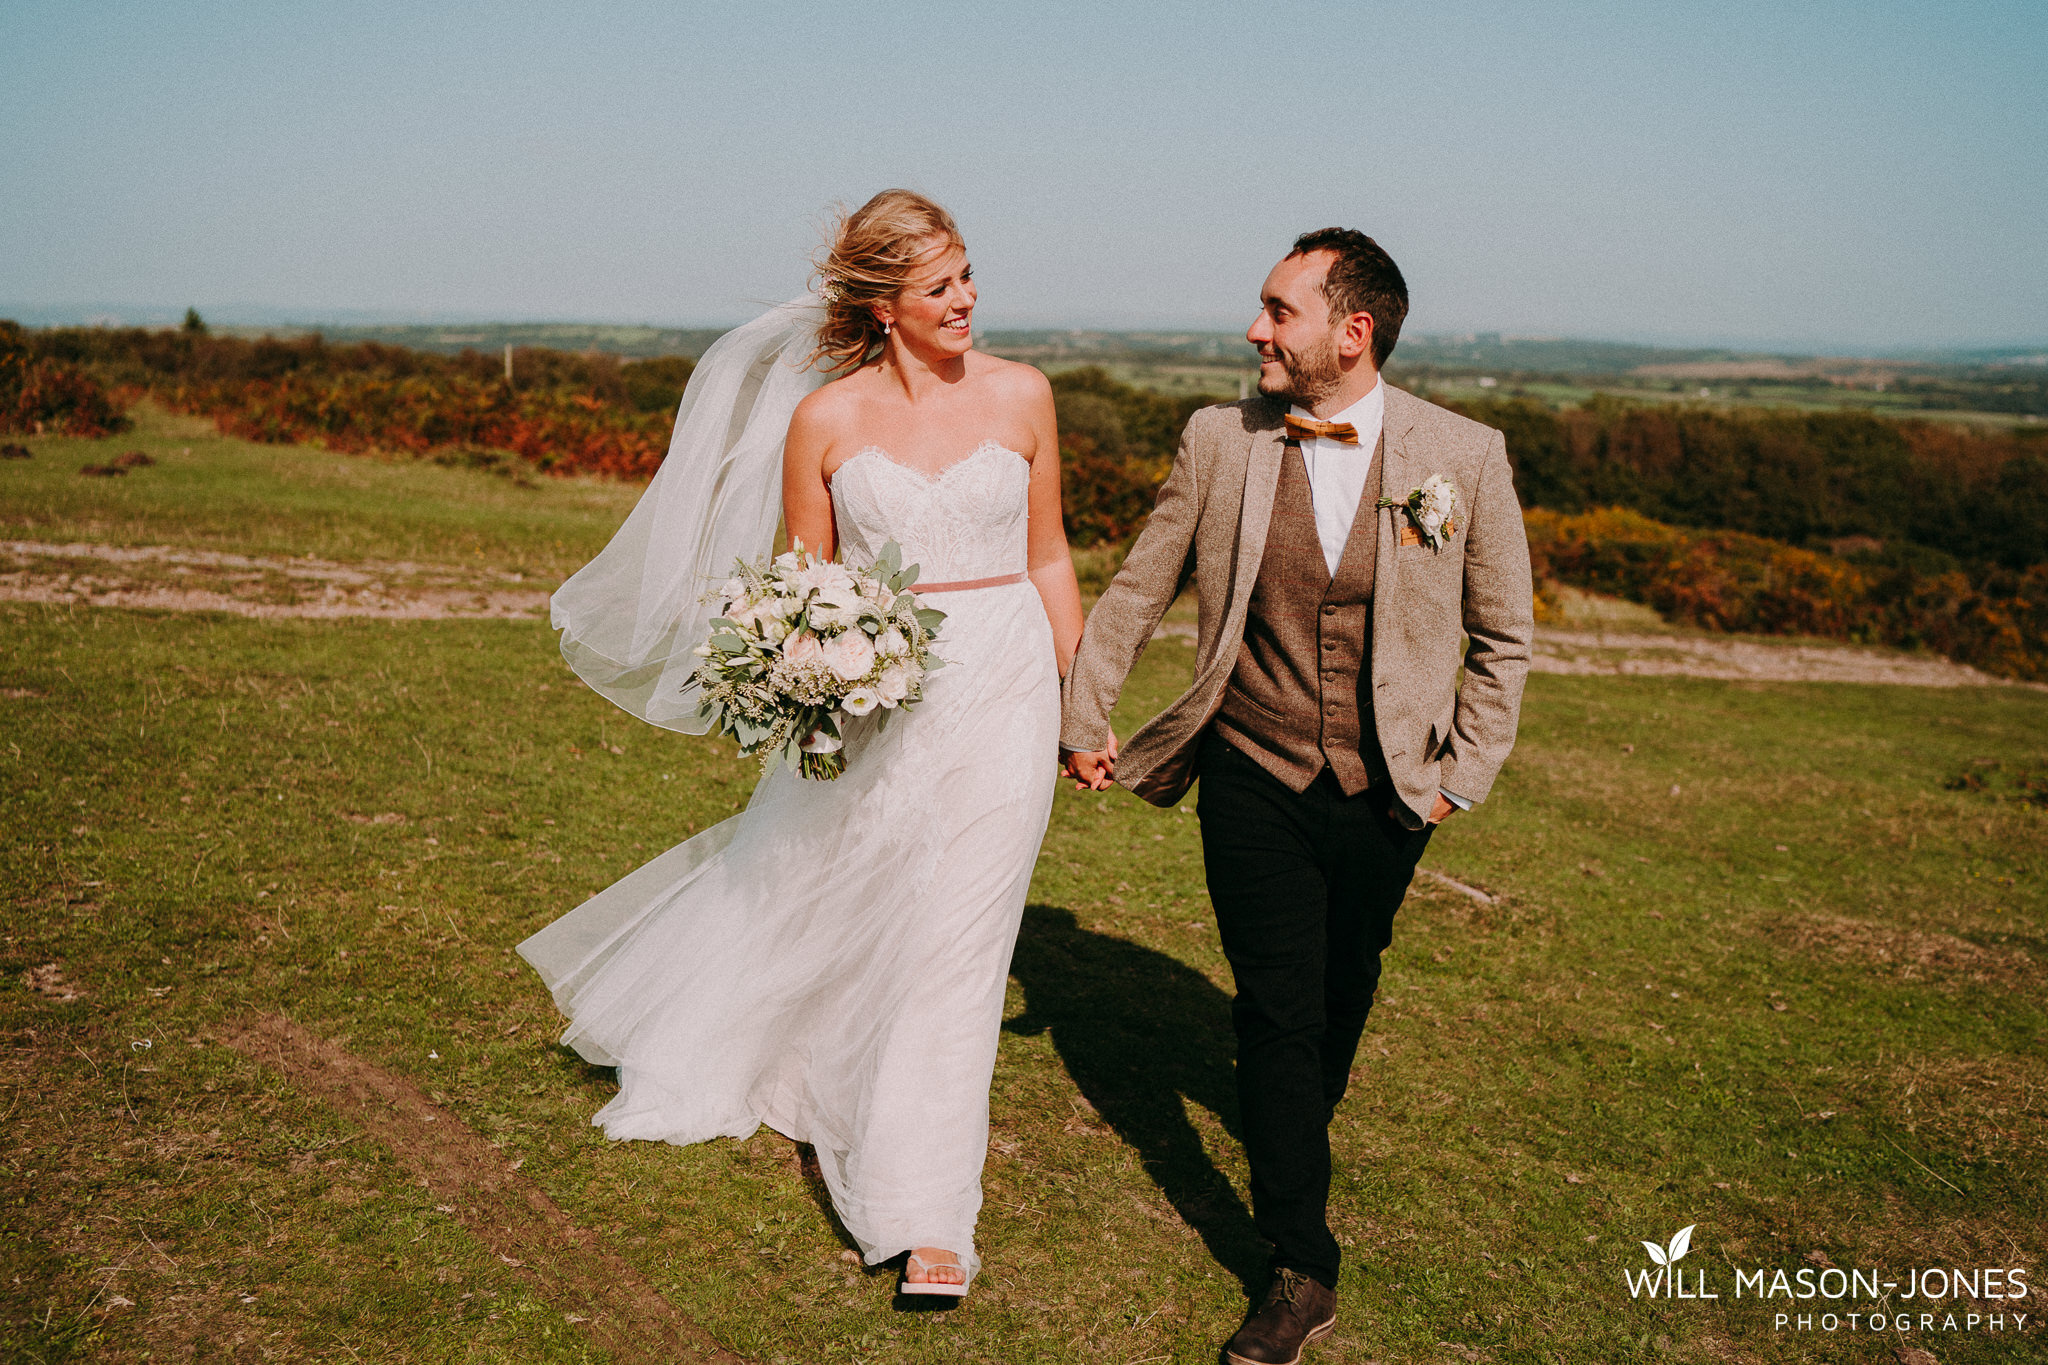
(1725, 580)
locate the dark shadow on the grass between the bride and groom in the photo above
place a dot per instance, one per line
(1142, 1032)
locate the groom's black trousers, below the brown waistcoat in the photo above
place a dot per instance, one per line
(1306, 891)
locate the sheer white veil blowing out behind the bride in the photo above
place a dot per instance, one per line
(632, 617)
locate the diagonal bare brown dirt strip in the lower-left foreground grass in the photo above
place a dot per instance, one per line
(527, 1231)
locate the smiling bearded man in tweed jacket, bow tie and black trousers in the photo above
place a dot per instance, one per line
(1338, 713)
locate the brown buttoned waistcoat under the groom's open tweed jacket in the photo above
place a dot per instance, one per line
(1302, 695)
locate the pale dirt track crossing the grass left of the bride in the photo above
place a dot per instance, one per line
(175, 580)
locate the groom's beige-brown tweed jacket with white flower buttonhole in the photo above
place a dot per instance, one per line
(1211, 527)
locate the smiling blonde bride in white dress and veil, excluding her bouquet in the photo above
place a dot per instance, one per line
(833, 961)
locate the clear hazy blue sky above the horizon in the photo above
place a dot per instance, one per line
(1809, 177)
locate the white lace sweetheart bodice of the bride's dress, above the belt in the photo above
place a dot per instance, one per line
(966, 523)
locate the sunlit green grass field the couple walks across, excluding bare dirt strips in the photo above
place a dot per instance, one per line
(1762, 961)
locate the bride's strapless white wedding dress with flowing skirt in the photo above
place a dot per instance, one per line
(833, 961)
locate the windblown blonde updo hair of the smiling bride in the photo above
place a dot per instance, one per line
(871, 257)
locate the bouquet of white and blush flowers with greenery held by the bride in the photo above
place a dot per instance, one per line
(802, 644)
